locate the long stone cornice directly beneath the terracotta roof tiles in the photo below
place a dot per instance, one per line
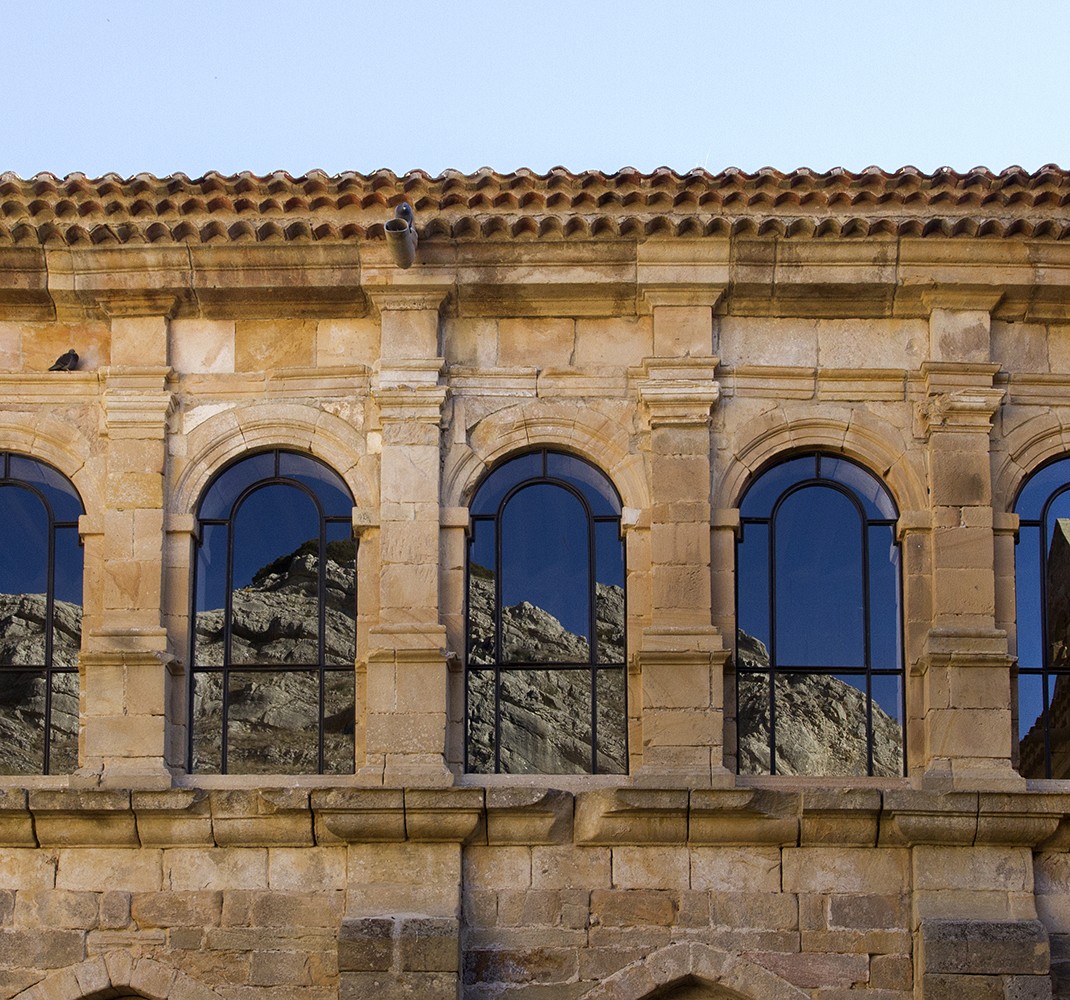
(737, 275)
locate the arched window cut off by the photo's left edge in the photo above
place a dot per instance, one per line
(40, 619)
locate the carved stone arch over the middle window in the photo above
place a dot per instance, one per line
(601, 439)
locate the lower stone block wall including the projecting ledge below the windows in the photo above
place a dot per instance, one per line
(488, 895)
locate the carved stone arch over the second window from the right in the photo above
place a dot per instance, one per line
(869, 442)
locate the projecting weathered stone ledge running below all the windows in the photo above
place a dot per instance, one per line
(787, 814)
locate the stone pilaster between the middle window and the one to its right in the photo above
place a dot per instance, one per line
(682, 655)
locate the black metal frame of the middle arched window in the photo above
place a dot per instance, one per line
(593, 667)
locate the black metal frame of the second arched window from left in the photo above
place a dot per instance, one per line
(322, 667)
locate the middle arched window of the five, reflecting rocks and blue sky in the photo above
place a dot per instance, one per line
(546, 663)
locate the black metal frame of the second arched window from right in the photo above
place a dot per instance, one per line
(863, 670)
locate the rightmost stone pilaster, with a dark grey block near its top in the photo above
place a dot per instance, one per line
(965, 666)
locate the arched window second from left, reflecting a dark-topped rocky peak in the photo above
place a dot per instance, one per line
(272, 686)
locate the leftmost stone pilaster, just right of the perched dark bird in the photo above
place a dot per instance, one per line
(127, 665)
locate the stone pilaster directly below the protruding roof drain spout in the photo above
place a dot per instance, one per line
(406, 674)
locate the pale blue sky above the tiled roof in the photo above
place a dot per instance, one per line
(232, 86)
